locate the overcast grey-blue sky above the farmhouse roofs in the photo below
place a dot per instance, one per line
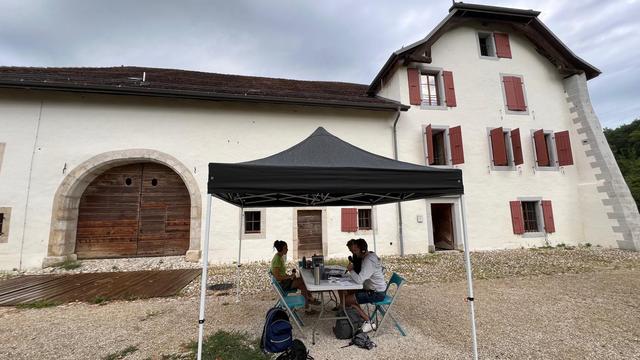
(316, 40)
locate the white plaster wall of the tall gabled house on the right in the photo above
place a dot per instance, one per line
(480, 105)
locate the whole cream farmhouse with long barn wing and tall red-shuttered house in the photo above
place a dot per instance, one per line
(112, 162)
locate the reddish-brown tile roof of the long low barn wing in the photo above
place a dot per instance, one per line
(194, 84)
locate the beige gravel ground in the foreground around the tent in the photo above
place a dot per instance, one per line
(593, 315)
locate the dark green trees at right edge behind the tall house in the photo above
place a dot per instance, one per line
(625, 144)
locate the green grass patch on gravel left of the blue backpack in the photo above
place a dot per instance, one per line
(226, 345)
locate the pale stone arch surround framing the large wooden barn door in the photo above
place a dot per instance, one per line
(64, 218)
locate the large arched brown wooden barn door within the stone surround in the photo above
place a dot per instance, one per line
(134, 210)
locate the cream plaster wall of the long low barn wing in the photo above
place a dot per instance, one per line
(75, 127)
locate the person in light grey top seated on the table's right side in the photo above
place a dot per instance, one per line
(372, 279)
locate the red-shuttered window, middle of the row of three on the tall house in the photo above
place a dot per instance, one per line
(506, 148)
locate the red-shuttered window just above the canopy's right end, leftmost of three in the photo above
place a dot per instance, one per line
(443, 145)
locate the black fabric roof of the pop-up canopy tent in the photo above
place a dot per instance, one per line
(324, 170)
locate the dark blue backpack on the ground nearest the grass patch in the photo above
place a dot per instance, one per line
(277, 334)
